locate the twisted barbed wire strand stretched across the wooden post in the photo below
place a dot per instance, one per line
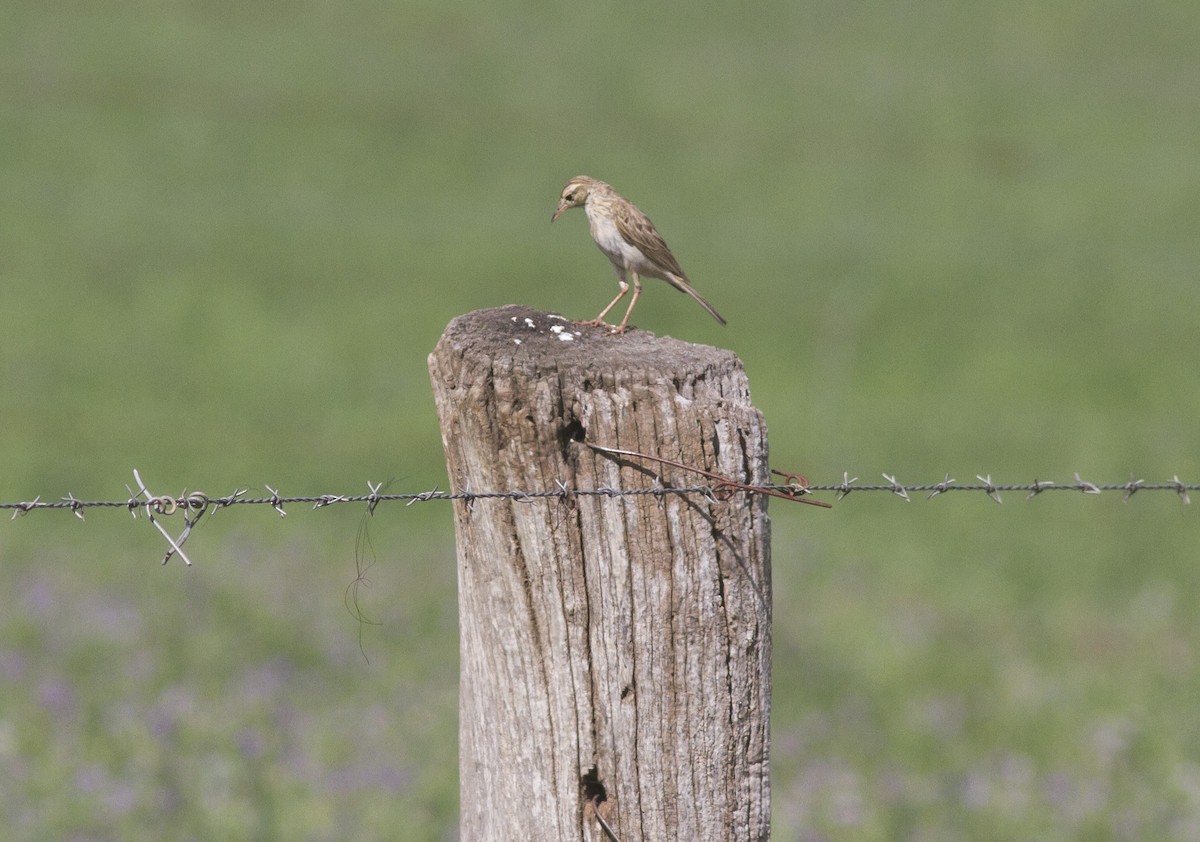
(195, 506)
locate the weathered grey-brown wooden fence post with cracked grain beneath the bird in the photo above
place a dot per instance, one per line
(614, 649)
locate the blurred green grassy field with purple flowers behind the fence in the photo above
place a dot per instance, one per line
(949, 238)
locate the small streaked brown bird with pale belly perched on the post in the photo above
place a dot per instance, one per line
(629, 240)
